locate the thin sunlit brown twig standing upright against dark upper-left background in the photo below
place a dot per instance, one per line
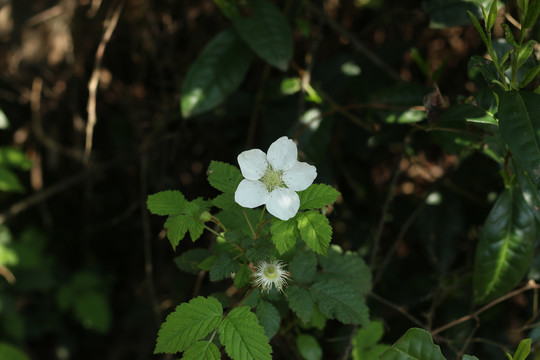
(110, 25)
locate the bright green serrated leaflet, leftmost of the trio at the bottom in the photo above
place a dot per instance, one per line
(187, 324)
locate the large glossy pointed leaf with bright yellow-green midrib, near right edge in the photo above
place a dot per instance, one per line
(506, 247)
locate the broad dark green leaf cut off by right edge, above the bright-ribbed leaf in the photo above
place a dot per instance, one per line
(519, 121)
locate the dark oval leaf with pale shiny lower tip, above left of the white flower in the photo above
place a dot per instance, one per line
(216, 73)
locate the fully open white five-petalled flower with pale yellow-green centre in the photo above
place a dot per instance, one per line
(272, 179)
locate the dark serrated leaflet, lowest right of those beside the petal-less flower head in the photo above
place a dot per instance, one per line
(338, 300)
